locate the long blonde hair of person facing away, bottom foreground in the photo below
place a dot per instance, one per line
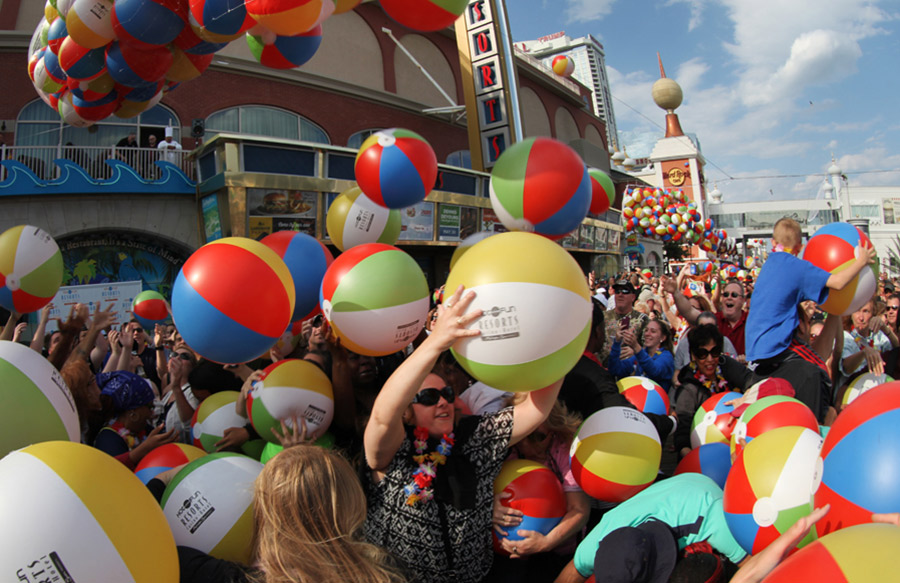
(308, 514)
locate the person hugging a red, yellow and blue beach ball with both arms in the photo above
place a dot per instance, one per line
(540, 557)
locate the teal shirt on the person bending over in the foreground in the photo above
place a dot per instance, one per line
(691, 504)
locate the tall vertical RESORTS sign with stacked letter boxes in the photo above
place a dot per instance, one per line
(487, 83)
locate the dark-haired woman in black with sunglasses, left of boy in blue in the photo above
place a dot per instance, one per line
(709, 372)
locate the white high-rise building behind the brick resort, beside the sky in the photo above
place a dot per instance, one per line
(590, 70)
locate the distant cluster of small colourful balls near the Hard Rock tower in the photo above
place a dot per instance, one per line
(669, 215)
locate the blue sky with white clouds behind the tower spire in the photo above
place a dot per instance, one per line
(771, 87)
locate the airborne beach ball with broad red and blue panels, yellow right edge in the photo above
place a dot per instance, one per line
(233, 299)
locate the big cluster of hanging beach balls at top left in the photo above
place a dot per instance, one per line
(95, 58)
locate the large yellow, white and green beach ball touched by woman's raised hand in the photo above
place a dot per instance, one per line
(537, 311)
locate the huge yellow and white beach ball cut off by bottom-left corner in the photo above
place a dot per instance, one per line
(70, 512)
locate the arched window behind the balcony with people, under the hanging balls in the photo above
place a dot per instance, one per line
(39, 125)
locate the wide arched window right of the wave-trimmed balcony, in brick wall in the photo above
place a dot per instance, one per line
(259, 120)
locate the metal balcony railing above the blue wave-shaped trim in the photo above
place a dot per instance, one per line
(93, 160)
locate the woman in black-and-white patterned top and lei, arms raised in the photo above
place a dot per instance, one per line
(430, 479)
